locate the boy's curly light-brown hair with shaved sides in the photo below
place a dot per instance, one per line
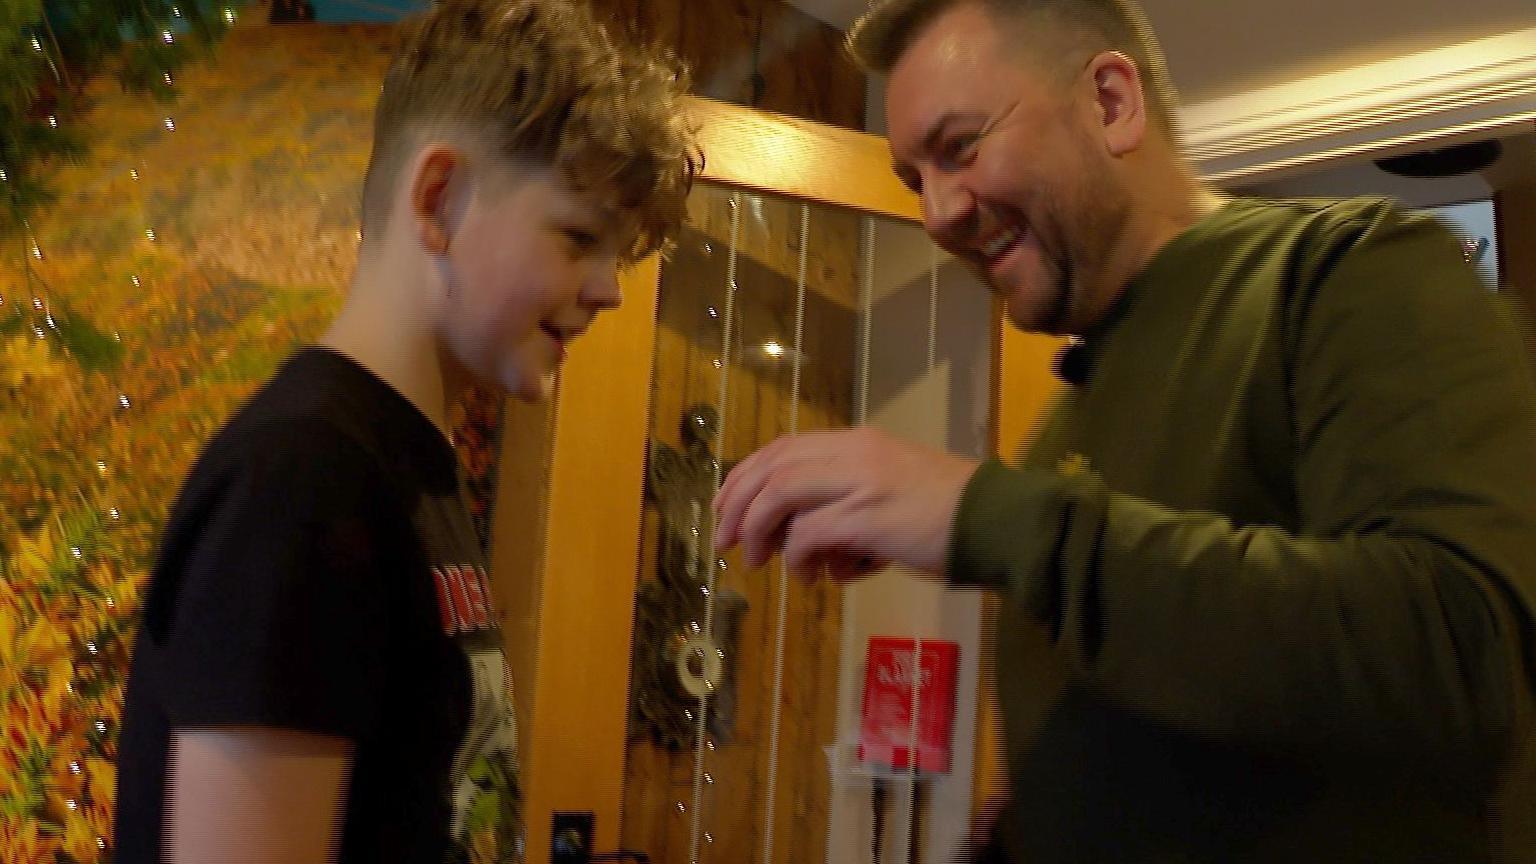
(538, 84)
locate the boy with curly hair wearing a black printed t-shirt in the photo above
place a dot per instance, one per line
(320, 673)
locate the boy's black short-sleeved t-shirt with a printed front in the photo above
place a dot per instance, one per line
(320, 573)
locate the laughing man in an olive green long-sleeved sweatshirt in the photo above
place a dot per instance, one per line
(1268, 574)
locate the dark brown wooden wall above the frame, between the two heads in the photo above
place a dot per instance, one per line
(799, 61)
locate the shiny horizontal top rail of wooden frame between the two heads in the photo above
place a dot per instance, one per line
(806, 161)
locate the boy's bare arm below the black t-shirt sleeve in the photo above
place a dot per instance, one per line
(256, 796)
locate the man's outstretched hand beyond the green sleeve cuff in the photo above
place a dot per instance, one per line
(847, 502)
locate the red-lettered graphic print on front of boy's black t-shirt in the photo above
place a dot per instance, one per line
(485, 777)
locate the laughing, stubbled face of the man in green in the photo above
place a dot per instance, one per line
(1007, 159)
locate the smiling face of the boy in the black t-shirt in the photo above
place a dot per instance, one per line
(531, 265)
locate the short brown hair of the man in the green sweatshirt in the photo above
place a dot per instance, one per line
(1059, 35)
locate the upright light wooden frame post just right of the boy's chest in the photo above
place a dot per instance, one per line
(575, 740)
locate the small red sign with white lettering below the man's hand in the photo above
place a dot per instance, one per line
(887, 736)
